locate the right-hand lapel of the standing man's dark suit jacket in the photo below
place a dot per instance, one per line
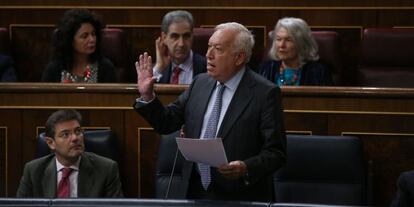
(238, 104)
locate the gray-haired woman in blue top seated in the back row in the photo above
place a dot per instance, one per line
(294, 55)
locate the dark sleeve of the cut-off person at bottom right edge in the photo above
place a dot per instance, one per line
(405, 193)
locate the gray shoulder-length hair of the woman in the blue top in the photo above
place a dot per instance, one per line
(301, 34)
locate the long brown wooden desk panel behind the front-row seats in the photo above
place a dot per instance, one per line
(381, 118)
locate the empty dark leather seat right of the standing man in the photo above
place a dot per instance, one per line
(324, 170)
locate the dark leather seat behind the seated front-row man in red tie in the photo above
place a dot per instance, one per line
(101, 142)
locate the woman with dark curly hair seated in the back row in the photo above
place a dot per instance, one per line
(76, 51)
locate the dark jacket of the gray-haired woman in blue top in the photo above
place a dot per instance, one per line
(313, 73)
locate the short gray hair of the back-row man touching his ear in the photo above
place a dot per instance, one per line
(176, 16)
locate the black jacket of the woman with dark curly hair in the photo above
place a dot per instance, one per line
(106, 71)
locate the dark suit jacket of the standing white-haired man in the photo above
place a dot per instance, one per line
(252, 131)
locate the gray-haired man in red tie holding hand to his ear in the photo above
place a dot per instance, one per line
(176, 62)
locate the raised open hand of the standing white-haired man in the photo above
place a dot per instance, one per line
(145, 77)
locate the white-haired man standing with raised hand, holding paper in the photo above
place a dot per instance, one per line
(250, 119)
